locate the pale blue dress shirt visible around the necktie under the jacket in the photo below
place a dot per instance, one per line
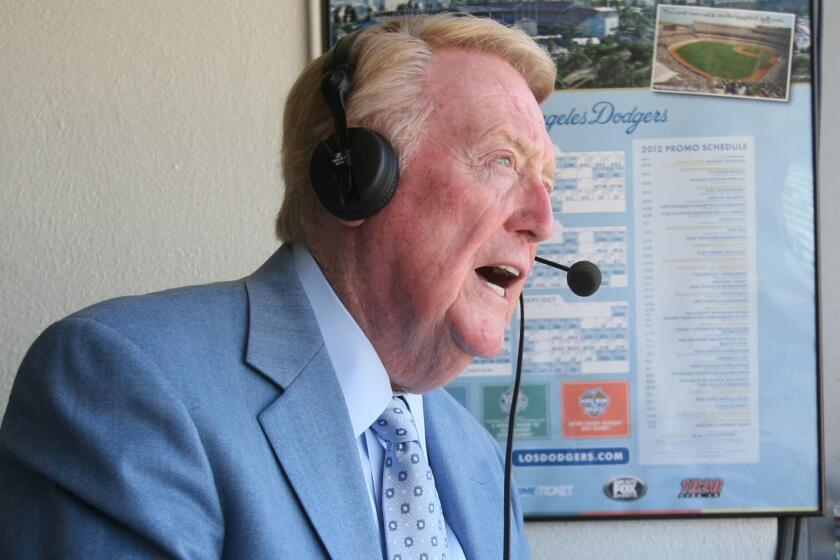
(363, 380)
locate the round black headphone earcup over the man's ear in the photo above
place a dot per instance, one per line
(374, 169)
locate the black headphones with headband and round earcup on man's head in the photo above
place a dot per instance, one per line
(354, 171)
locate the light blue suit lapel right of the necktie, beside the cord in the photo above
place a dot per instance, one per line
(469, 493)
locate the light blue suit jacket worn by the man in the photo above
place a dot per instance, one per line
(207, 422)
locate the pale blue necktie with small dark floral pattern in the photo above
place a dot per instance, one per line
(413, 519)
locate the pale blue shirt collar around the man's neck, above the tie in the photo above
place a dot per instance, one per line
(361, 375)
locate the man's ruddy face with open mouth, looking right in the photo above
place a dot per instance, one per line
(449, 255)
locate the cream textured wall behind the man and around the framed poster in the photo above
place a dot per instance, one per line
(139, 150)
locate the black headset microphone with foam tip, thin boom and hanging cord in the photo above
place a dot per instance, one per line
(584, 279)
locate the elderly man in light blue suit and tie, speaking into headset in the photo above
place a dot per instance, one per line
(298, 413)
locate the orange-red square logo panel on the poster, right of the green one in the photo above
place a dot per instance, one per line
(596, 409)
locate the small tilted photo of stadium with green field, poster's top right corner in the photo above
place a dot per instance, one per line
(737, 53)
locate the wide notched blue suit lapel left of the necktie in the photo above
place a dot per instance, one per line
(308, 426)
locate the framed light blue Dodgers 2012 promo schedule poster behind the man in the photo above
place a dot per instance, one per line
(688, 383)
